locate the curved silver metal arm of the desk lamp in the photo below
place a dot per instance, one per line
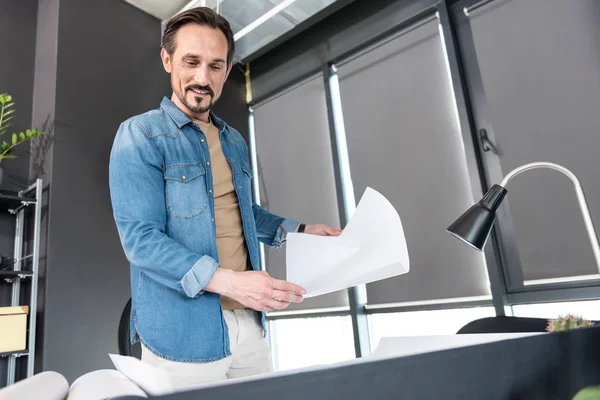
(585, 210)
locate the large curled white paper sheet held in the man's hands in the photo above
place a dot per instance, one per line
(371, 247)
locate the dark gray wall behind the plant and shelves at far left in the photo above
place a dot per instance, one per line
(17, 43)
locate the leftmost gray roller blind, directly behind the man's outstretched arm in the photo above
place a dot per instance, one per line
(295, 169)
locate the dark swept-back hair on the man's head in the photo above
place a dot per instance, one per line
(202, 16)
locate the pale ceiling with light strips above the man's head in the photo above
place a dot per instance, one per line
(255, 23)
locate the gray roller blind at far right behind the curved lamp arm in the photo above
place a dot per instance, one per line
(539, 63)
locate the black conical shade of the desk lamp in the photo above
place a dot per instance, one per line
(475, 225)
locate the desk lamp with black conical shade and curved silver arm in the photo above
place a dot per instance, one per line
(475, 225)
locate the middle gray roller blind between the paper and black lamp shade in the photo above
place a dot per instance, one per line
(404, 141)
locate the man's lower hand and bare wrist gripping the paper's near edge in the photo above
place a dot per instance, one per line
(255, 289)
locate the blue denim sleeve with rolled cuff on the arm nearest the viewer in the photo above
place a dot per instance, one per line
(137, 190)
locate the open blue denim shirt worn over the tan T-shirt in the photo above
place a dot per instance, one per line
(161, 191)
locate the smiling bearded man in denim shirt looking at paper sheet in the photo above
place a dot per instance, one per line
(180, 184)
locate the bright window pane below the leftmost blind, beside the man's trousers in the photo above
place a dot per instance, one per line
(302, 342)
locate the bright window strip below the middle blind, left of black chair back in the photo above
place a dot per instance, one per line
(417, 323)
